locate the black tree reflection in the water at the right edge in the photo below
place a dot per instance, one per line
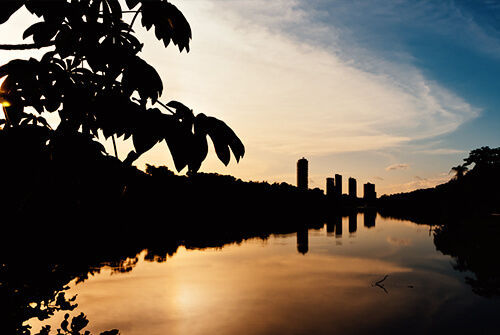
(474, 246)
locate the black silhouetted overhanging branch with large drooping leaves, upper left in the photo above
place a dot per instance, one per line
(96, 81)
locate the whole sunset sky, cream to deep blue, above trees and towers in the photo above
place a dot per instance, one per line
(389, 92)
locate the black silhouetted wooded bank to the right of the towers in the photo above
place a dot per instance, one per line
(474, 192)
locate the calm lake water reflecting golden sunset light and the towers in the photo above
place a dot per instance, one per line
(325, 284)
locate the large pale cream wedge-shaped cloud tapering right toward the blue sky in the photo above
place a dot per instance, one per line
(292, 94)
